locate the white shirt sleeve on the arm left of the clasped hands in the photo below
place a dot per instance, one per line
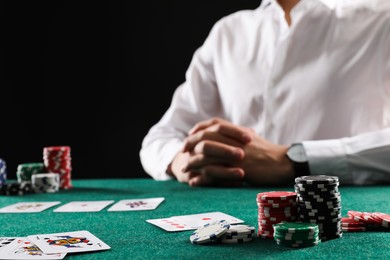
(195, 100)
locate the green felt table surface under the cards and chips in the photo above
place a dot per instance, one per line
(131, 237)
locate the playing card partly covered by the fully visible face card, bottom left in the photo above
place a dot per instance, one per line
(22, 248)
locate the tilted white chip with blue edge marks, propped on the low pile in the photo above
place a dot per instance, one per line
(209, 232)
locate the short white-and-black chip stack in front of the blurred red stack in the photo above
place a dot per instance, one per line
(46, 182)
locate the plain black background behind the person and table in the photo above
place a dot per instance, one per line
(95, 76)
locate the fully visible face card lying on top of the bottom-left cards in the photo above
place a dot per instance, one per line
(68, 242)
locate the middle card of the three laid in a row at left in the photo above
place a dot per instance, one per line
(84, 206)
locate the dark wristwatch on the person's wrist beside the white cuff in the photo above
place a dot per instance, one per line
(297, 155)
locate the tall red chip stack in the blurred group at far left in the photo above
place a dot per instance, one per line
(57, 159)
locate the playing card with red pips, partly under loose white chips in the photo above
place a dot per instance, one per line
(193, 221)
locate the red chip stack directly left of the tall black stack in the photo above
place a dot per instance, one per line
(275, 207)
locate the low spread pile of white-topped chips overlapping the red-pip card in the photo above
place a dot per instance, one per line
(222, 232)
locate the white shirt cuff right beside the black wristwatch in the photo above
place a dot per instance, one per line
(328, 157)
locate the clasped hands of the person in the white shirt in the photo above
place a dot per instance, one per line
(218, 150)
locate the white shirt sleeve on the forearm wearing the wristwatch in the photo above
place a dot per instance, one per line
(359, 160)
